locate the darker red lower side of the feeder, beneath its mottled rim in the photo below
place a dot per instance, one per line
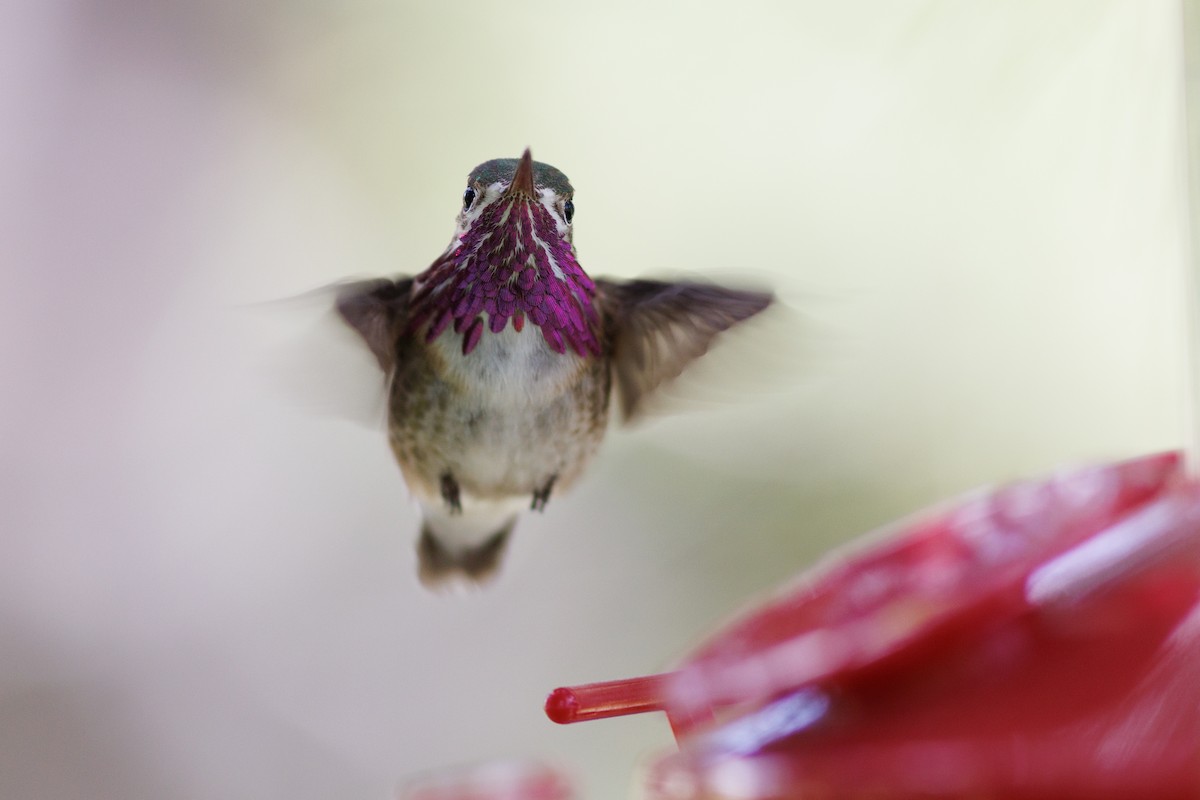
(1099, 701)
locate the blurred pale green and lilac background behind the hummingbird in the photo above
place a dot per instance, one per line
(974, 213)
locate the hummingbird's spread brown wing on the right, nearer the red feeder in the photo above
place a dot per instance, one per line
(656, 329)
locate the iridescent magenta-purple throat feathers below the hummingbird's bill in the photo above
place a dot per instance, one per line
(505, 268)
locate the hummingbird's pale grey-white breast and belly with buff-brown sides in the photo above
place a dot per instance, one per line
(505, 420)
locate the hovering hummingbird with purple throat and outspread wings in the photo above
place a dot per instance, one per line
(503, 354)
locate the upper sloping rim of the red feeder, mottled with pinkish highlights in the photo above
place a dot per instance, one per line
(905, 597)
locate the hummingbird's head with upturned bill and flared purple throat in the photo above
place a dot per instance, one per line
(511, 260)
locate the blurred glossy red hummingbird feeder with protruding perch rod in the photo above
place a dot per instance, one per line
(1041, 641)
